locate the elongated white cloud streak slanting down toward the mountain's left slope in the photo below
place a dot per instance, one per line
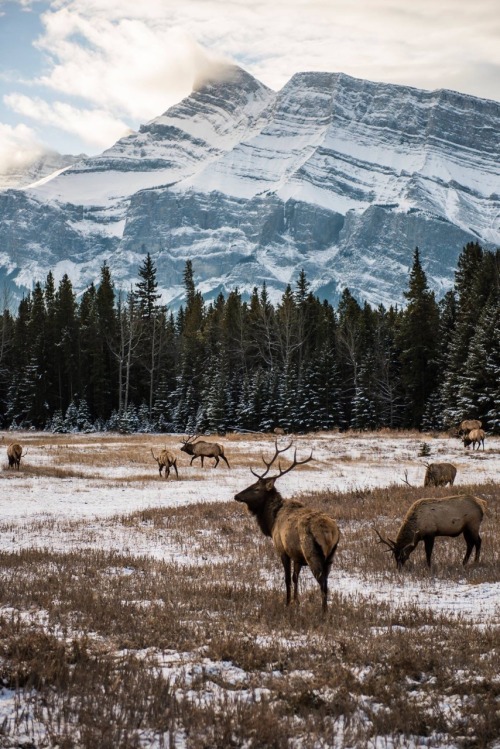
(93, 126)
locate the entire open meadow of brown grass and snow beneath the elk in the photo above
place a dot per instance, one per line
(142, 612)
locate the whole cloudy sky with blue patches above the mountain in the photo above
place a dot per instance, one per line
(76, 75)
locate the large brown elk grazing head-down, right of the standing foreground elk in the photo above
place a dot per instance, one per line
(428, 518)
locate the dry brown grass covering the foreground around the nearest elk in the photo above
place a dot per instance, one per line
(88, 631)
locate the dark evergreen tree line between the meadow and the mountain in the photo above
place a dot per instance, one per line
(110, 360)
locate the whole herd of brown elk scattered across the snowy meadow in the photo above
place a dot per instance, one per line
(304, 537)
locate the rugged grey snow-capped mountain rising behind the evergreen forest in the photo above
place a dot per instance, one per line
(339, 176)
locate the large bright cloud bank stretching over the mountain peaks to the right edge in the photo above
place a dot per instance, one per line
(138, 58)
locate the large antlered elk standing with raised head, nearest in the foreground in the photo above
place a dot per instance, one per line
(300, 534)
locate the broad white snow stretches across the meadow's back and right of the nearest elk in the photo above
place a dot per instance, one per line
(37, 510)
